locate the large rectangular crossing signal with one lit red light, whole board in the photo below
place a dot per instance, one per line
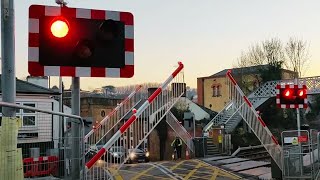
(79, 42)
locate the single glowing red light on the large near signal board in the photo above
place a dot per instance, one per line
(59, 28)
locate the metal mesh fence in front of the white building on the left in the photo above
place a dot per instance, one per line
(34, 145)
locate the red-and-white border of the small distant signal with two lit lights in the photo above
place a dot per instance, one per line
(291, 86)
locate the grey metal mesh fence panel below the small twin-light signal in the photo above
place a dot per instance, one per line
(300, 154)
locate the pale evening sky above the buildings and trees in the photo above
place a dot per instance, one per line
(207, 35)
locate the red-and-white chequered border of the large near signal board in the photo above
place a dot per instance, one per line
(36, 69)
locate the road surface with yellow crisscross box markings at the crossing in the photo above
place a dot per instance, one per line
(176, 170)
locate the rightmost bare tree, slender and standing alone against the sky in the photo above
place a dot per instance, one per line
(298, 55)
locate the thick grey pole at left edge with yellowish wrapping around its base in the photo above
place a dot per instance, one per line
(10, 157)
